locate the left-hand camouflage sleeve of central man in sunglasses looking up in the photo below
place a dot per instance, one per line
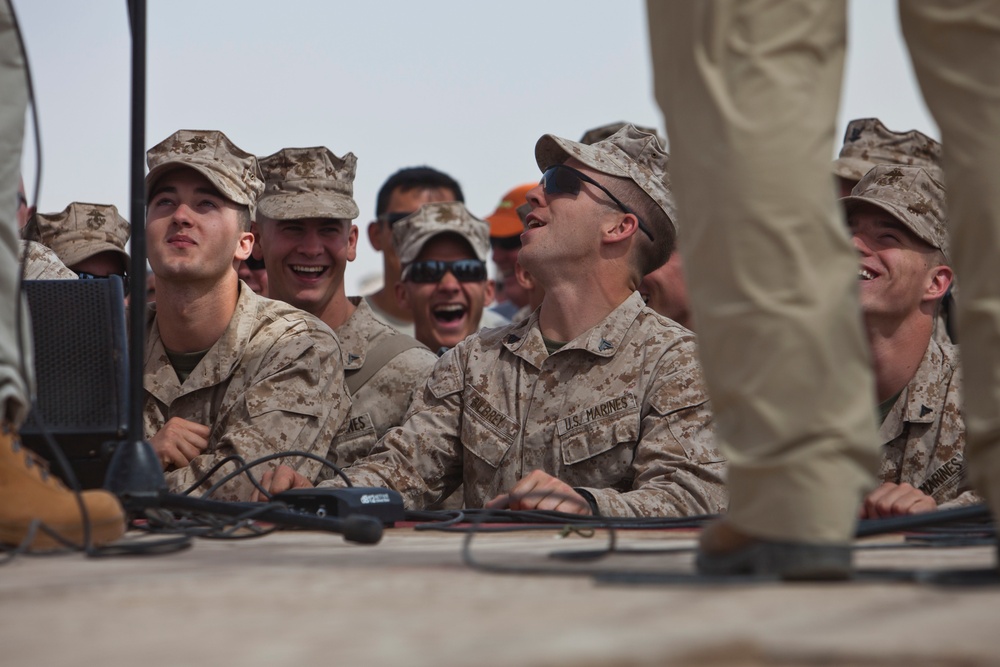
(422, 458)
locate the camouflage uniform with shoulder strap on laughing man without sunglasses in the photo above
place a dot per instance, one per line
(382, 401)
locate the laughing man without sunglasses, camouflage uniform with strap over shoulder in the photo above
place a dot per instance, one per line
(306, 239)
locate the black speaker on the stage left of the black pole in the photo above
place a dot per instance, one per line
(81, 371)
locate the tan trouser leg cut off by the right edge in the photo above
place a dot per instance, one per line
(955, 48)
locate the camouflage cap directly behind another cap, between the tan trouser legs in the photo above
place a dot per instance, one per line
(868, 143)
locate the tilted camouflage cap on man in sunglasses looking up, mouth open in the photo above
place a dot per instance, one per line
(628, 153)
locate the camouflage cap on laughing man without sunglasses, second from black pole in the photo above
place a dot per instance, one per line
(308, 183)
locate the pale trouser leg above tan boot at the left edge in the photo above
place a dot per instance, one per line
(14, 386)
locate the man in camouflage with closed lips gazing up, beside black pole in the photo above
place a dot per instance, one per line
(272, 381)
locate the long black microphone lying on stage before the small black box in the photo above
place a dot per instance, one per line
(355, 528)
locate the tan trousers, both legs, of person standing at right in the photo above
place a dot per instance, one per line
(750, 92)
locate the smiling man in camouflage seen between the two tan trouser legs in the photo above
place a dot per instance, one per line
(898, 220)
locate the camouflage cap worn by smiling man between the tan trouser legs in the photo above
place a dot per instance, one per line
(912, 195)
